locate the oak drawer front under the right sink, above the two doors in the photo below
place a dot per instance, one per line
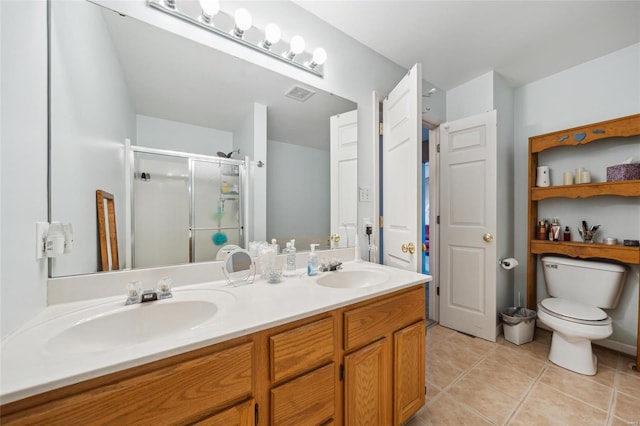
(370, 322)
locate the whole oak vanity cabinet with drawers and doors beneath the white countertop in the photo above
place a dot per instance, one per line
(359, 364)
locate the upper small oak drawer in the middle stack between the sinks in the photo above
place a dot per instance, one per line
(301, 349)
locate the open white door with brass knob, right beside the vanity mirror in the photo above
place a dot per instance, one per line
(401, 186)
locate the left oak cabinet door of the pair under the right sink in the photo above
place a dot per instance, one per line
(367, 385)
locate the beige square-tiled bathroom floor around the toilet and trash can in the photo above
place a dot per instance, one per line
(471, 381)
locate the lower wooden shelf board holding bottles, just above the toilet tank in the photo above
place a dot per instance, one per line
(584, 250)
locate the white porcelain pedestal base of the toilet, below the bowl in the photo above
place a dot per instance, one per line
(574, 354)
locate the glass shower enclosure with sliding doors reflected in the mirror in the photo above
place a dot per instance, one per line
(185, 207)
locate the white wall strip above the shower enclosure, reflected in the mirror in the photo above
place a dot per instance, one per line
(158, 133)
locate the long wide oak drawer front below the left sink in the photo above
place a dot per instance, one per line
(175, 394)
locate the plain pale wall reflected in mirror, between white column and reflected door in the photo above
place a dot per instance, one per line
(297, 206)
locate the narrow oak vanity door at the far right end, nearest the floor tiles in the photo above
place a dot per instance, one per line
(409, 374)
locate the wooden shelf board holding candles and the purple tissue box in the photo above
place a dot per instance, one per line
(625, 188)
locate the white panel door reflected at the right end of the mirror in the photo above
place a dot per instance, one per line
(344, 176)
